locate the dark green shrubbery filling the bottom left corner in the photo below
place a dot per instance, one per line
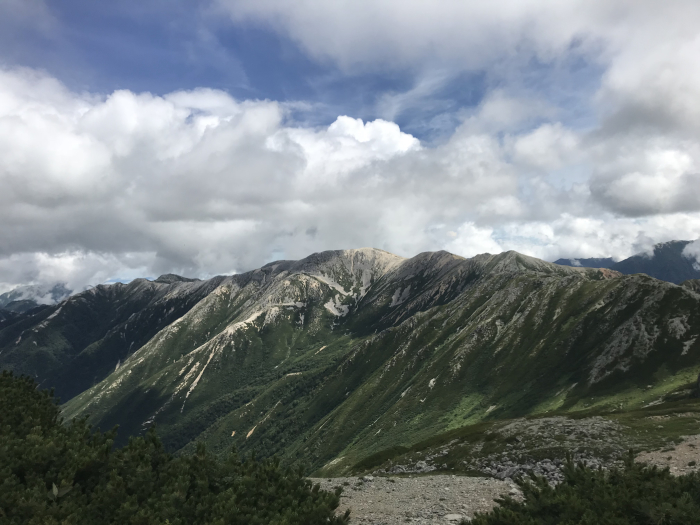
(52, 473)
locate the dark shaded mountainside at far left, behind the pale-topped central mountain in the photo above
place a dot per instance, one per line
(78, 342)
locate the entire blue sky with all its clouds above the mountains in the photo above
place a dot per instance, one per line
(210, 137)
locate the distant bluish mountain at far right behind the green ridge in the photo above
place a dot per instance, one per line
(667, 262)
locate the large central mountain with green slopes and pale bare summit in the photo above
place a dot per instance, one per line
(337, 357)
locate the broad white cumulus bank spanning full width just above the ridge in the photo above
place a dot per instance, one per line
(195, 182)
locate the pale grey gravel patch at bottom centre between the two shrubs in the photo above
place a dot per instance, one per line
(441, 499)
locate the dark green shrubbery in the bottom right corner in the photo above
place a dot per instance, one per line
(634, 495)
